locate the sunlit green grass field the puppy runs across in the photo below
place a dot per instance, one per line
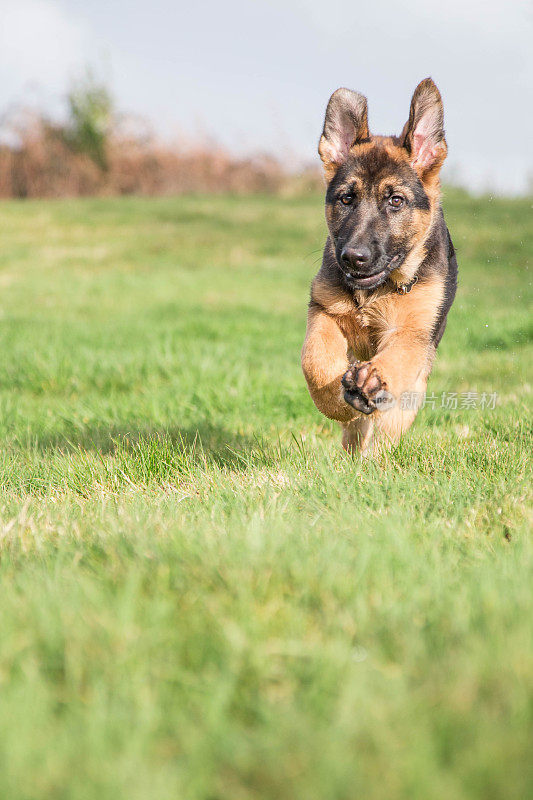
(203, 597)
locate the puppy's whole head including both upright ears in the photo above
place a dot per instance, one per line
(380, 189)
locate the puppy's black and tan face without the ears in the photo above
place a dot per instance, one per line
(377, 210)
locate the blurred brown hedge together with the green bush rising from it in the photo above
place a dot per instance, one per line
(92, 153)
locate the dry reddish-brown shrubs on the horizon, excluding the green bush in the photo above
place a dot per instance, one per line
(42, 164)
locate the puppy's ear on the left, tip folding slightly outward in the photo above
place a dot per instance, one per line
(346, 124)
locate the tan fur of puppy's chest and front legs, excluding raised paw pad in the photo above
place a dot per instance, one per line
(392, 331)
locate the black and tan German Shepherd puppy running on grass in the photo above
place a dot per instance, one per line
(388, 277)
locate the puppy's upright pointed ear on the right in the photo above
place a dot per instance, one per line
(423, 134)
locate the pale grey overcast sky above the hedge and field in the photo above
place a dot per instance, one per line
(256, 74)
